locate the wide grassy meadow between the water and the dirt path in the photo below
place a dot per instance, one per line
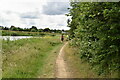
(30, 58)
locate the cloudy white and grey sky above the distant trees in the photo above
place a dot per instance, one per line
(39, 13)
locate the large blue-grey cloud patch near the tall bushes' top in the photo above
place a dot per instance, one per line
(55, 8)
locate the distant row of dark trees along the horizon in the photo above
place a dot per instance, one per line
(32, 29)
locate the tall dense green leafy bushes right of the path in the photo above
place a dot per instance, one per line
(96, 31)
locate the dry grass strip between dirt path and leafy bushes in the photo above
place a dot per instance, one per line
(78, 68)
